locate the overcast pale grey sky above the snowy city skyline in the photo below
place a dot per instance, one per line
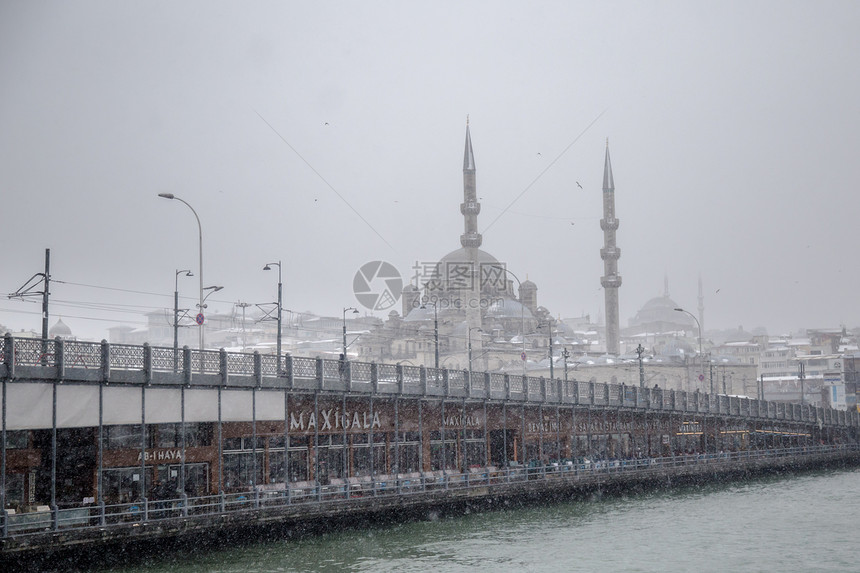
(733, 129)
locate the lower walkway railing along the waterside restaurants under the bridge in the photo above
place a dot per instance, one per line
(116, 518)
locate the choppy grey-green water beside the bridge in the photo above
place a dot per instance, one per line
(797, 523)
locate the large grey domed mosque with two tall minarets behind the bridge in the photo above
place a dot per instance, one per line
(470, 311)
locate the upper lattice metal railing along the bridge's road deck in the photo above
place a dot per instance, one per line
(76, 361)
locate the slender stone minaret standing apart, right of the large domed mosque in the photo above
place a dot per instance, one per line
(610, 254)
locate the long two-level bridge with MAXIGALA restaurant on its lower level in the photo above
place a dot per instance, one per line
(104, 443)
